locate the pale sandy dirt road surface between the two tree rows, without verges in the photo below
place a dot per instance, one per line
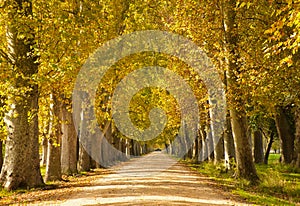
(154, 179)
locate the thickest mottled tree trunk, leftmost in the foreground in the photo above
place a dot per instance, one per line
(21, 167)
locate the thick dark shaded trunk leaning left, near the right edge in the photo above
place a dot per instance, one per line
(285, 134)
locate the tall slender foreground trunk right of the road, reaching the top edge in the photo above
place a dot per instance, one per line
(245, 165)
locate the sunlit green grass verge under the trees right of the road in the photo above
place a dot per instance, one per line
(279, 184)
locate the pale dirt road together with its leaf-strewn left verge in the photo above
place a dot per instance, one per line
(153, 179)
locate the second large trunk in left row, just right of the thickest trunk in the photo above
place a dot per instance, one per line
(53, 166)
